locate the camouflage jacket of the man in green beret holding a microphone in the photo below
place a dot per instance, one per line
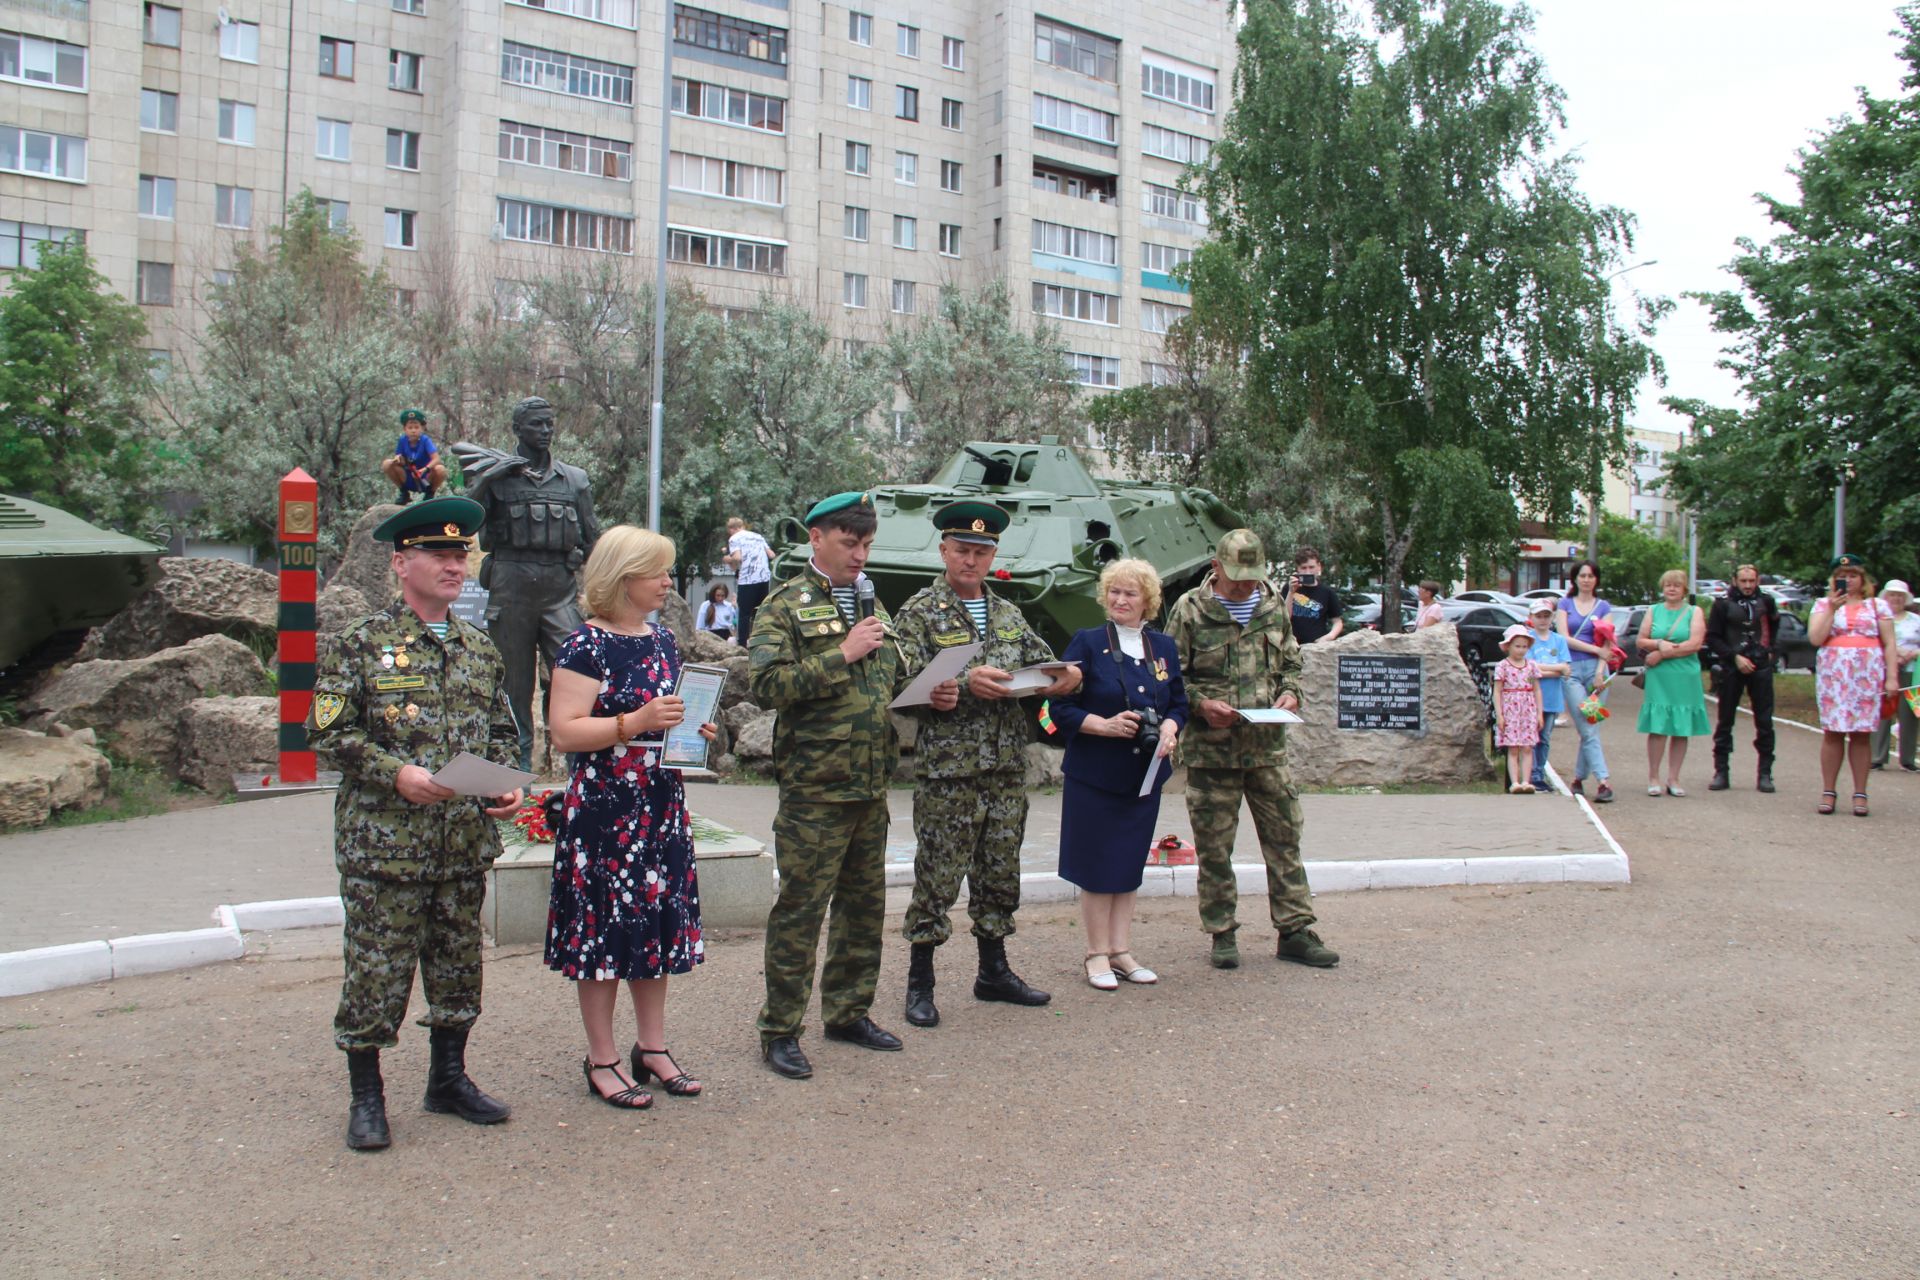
(834, 740)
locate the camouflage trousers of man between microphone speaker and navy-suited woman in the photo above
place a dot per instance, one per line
(967, 826)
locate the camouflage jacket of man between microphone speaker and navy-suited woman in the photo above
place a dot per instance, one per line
(980, 736)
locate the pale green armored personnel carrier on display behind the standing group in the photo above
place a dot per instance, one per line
(1067, 527)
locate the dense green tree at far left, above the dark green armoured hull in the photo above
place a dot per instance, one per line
(74, 385)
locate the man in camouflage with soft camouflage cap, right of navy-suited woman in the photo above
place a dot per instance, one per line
(1243, 665)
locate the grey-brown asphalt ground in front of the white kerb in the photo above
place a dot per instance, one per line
(1706, 1074)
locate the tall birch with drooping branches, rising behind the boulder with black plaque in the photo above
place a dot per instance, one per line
(1414, 277)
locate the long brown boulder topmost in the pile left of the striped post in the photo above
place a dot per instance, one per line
(187, 602)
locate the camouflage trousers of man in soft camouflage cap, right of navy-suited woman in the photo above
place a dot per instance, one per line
(1214, 811)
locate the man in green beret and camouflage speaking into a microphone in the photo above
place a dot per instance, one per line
(825, 659)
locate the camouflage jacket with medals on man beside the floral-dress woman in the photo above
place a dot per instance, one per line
(391, 694)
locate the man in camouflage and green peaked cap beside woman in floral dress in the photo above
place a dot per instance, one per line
(398, 696)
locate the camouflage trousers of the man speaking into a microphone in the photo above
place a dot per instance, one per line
(827, 855)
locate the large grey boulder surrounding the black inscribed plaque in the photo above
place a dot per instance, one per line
(1445, 751)
